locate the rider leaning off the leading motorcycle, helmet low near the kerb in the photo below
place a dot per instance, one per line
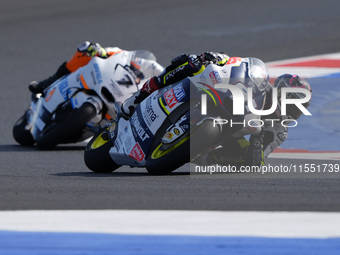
(239, 151)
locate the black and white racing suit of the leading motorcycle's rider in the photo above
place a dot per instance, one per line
(238, 151)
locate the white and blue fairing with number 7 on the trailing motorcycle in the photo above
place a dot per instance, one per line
(117, 84)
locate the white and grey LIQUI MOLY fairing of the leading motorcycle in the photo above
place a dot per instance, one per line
(133, 138)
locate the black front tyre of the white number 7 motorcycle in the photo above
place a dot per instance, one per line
(67, 129)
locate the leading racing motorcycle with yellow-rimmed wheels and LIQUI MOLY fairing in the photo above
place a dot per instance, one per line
(168, 128)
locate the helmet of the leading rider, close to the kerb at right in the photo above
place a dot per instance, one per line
(286, 81)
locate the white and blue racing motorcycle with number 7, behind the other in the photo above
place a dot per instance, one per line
(76, 106)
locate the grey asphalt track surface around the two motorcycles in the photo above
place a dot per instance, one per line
(37, 36)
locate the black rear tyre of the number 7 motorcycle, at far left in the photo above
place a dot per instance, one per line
(21, 134)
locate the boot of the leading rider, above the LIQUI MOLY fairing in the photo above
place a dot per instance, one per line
(130, 104)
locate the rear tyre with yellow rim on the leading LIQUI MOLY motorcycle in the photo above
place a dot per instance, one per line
(96, 155)
